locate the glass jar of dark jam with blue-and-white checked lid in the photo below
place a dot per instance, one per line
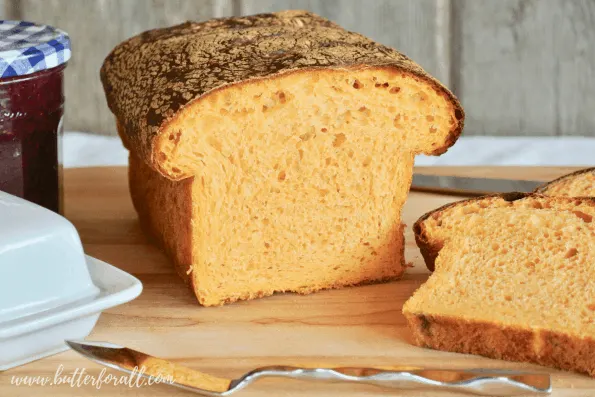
(32, 62)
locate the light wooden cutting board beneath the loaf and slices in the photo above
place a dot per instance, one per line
(354, 326)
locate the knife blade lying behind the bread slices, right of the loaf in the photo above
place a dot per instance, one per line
(471, 186)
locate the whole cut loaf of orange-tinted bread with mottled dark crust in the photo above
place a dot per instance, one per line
(274, 152)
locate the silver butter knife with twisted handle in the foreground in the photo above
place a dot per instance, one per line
(488, 382)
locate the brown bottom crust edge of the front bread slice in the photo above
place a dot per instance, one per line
(504, 343)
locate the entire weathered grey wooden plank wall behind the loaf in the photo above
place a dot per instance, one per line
(520, 67)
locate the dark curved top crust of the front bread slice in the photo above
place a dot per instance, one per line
(430, 249)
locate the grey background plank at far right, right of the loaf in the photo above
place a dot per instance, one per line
(525, 67)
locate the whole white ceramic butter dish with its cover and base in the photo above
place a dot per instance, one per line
(49, 289)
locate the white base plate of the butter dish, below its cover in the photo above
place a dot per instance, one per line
(39, 335)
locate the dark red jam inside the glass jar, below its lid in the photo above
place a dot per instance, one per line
(31, 109)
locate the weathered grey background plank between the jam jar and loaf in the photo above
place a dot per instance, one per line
(95, 28)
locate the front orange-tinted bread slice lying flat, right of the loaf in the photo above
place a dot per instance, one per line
(513, 280)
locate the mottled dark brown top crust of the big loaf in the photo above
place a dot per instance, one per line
(149, 78)
